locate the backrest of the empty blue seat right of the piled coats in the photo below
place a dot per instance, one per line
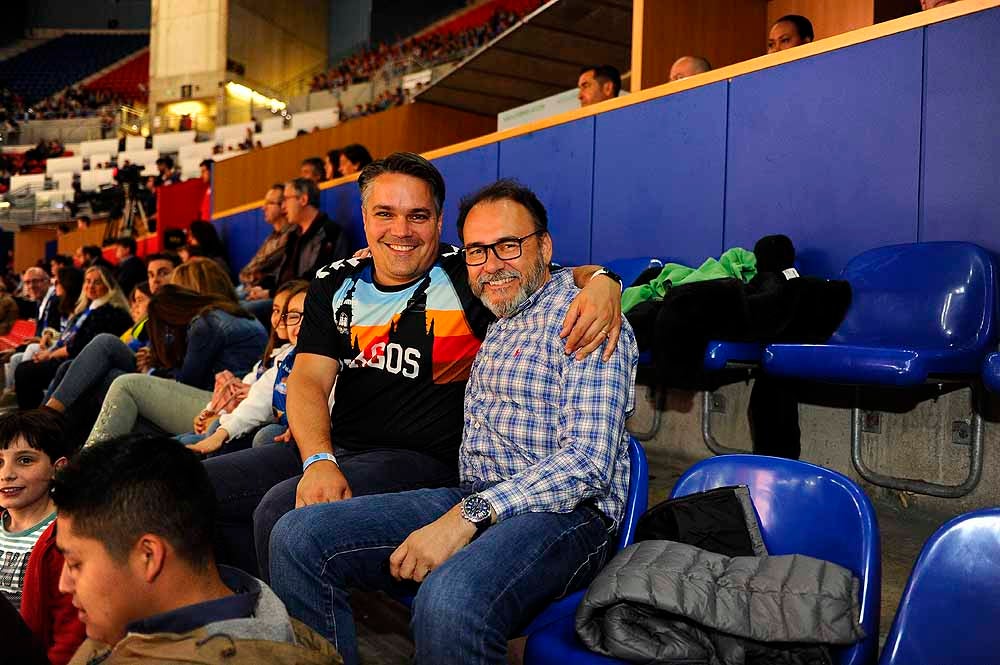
(931, 295)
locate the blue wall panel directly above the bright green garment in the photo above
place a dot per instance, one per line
(659, 184)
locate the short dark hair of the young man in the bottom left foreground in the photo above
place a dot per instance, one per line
(117, 490)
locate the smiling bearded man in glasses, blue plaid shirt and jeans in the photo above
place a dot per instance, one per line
(543, 466)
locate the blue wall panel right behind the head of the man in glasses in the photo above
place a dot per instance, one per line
(557, 163)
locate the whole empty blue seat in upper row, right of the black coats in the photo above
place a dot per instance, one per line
(919, 311)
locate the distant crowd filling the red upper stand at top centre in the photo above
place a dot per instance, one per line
(428, 50)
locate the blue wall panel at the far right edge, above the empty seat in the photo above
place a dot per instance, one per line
(961, 174)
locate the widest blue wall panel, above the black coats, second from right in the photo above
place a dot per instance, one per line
(826, 150)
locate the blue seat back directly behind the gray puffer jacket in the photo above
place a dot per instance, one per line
(807, 509)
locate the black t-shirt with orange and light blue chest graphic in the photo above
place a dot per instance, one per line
(405, 353)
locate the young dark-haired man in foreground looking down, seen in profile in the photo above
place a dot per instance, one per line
(136, 521)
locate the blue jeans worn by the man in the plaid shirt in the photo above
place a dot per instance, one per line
(465, 610)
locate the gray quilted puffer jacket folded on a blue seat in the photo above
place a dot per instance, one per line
(666, 602)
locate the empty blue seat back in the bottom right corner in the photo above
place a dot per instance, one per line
(951, 604)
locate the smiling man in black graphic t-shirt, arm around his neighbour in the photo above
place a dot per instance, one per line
(397, 333)
